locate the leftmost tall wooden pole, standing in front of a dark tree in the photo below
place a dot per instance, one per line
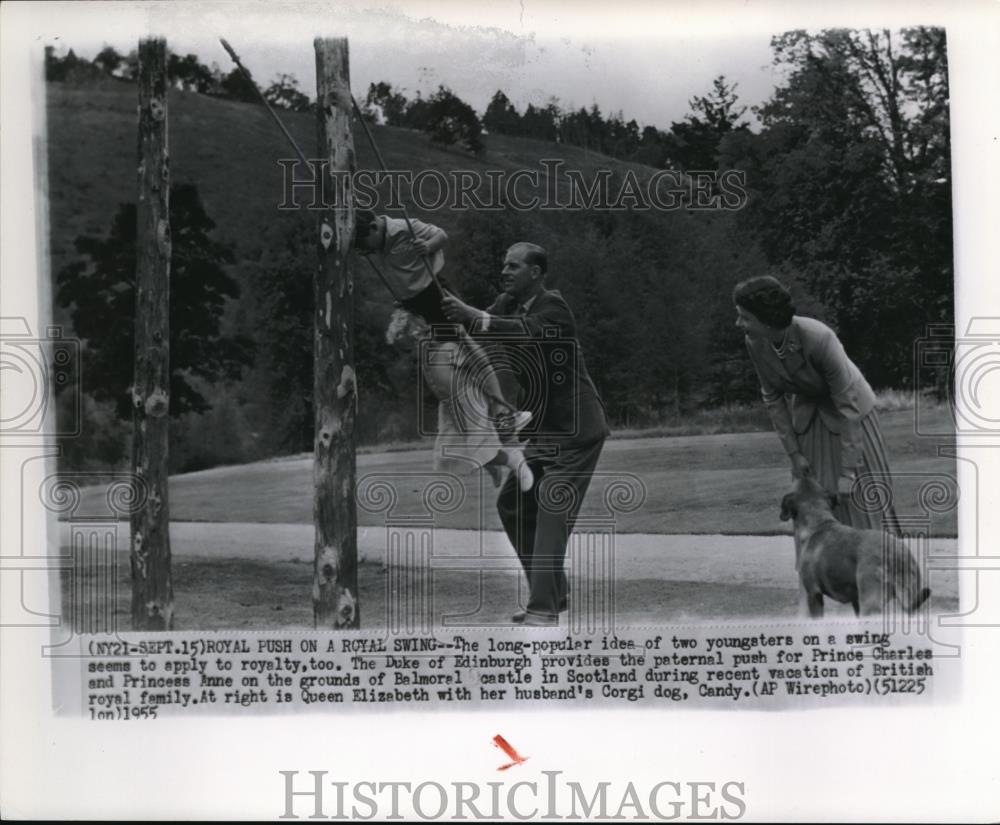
(152, 590)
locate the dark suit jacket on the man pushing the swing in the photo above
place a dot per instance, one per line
(567, 406)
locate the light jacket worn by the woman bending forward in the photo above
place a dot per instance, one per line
(814, 378)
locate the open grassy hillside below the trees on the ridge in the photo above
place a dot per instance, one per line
(230, 151)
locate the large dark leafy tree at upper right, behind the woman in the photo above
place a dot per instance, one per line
(850, 182)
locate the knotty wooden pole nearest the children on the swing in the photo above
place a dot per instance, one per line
(335, 395)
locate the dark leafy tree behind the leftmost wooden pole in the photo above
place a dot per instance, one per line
(100, 293)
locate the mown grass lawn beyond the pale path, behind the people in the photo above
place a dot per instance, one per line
(719, 484)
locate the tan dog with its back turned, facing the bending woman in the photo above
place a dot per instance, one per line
(864, 568)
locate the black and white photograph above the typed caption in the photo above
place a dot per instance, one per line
(721, 287)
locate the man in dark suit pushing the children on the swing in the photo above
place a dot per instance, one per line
(568, 429)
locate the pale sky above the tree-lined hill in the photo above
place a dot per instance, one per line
(642, 58)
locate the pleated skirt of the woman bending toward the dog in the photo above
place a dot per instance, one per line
(871, 502)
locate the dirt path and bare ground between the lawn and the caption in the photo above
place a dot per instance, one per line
(257, 576)
